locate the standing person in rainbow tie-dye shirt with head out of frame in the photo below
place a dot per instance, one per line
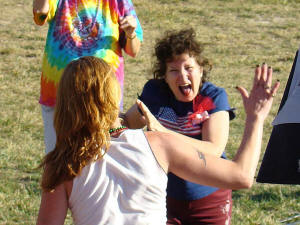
(100, 28)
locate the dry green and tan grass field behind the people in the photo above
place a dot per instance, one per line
(237, 34)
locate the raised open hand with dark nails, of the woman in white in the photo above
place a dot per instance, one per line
(258, 103)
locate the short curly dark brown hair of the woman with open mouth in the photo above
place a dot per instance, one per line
(176, 43)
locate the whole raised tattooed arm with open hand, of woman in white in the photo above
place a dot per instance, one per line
(202, 168)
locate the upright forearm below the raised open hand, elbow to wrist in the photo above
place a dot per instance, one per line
(248, 154)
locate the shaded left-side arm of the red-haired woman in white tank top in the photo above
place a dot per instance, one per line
(54, 206)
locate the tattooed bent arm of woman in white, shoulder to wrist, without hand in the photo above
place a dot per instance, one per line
(192, 164)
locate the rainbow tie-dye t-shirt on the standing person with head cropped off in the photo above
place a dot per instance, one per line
(80, 28)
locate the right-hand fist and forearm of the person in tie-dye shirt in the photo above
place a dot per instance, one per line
(133, 44)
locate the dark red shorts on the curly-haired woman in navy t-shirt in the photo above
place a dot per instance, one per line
(212, 209)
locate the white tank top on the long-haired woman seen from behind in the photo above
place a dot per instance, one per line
(127, 186)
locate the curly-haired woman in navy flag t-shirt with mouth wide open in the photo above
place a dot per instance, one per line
(198, 113)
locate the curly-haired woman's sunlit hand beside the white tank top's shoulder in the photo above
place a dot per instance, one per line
(149, 119)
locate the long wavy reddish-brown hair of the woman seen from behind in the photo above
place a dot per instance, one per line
(87, 105)
